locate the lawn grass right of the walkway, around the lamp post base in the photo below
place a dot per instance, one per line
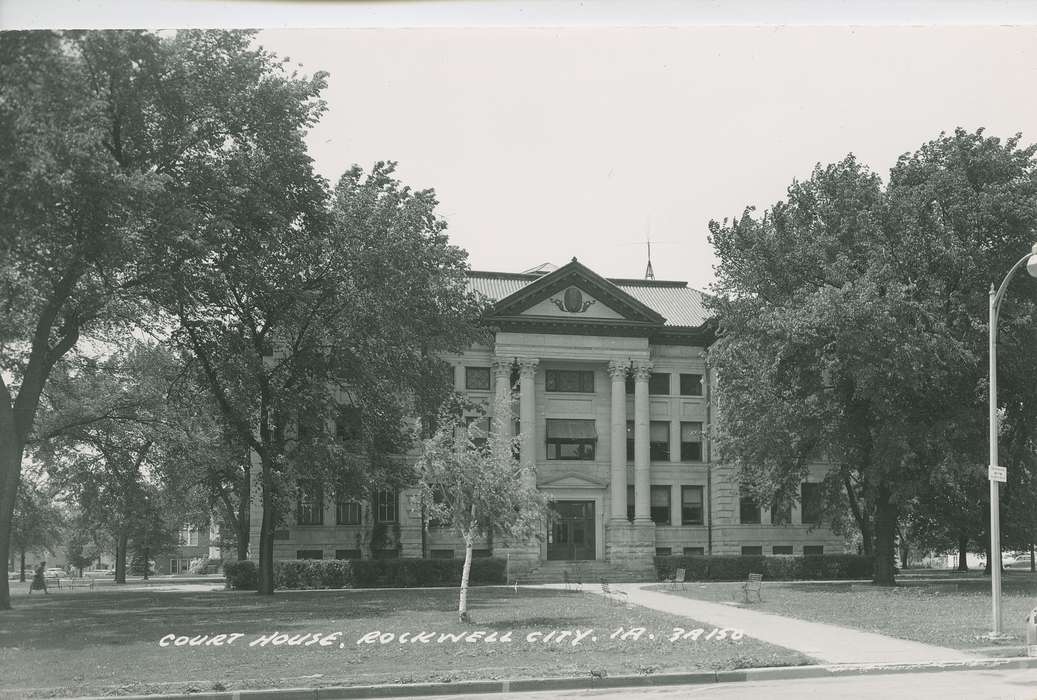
(949, 611)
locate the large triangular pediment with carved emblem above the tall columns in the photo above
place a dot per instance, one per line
(576, 294)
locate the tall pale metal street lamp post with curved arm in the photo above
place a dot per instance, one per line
(993, 474)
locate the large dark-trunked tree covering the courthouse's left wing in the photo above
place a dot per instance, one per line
(310, 310)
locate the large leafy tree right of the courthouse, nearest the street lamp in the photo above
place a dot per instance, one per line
(852, 323)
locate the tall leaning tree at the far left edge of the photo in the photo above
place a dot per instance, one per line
(109, 148)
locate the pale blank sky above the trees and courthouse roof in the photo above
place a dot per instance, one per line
(585, 141)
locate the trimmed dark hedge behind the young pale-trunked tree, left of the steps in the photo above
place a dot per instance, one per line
(296, 574)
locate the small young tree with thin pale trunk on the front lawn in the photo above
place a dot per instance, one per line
(473, 484)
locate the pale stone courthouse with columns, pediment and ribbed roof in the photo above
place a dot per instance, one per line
(612, 398)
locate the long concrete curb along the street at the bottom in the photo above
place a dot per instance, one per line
(532, 685)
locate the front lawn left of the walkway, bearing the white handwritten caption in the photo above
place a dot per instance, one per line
(109, 642)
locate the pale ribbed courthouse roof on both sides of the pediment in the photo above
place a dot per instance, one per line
(681, 305)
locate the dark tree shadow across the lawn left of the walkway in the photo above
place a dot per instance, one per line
(75, 622)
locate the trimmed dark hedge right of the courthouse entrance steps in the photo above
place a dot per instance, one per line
(827, 567)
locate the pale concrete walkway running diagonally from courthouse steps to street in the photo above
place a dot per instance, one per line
(828, 643)
